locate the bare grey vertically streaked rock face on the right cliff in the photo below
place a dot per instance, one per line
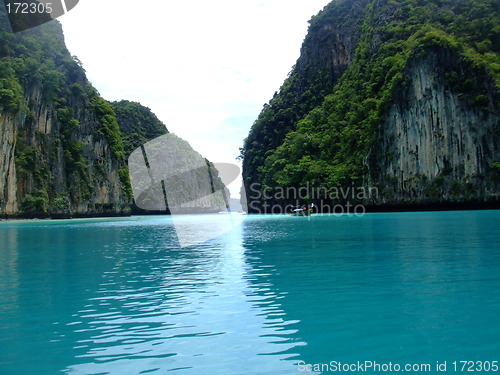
(434, 146)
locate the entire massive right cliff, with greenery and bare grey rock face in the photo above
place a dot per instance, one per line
(401, 98)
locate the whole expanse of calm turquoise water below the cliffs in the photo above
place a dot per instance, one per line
(276, 295)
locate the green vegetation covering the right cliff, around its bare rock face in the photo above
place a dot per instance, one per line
(328, 140)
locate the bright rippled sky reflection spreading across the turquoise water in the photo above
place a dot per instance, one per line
(183, 309)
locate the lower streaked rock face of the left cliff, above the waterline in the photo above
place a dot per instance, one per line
(55, 166)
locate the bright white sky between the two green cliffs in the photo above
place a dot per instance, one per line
(205, 68)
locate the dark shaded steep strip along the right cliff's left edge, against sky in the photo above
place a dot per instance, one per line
(328, 50)
